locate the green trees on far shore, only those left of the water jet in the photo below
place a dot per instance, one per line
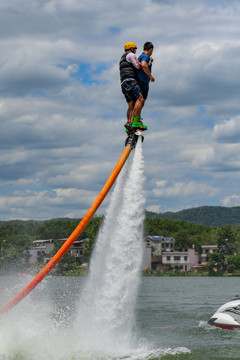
(16, 239)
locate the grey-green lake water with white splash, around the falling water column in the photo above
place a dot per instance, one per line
(171, 317)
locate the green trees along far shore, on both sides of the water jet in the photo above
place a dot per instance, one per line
(16, 237)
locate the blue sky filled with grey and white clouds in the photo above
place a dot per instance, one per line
(62, 110)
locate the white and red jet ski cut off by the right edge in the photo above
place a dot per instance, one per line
(228, 315)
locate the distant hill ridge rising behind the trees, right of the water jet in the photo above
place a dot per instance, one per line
(203, 215)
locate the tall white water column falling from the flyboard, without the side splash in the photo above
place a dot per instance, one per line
(107, 306)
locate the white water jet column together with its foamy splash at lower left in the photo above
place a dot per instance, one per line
(104, 328)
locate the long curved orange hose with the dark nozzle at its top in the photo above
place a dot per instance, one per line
(129, 145)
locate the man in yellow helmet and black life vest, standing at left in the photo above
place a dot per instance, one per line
(129, 66)
